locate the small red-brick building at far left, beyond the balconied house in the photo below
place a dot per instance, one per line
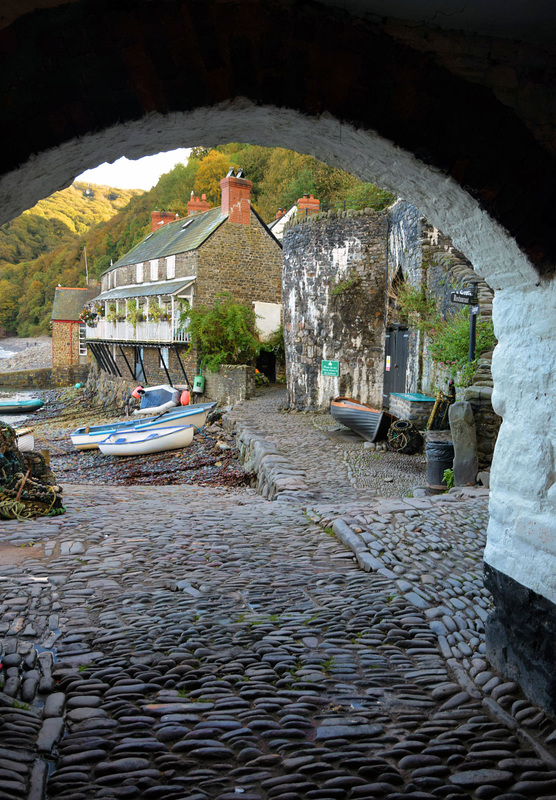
(68, 330)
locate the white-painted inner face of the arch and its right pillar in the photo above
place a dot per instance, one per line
(522, 536)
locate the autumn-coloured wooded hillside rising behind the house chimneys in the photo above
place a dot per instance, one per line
(44, 246)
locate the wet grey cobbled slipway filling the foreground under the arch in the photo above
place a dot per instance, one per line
(193, 642)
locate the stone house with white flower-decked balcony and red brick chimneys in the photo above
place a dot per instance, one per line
(140, 331)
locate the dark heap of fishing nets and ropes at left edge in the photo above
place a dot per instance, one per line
(28, 486)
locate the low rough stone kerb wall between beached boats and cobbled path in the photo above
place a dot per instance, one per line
(276, 477)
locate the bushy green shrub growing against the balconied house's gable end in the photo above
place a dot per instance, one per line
(224, 334)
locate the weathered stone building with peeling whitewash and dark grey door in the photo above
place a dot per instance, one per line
(343, 331)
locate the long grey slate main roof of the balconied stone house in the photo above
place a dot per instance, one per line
(187, 233)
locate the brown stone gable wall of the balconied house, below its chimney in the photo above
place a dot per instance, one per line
(242, 259)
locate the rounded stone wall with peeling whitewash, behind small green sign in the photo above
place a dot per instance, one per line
(333, 286)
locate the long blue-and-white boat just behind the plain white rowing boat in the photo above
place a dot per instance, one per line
(88, 437)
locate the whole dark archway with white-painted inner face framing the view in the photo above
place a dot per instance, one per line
(390, 102)
